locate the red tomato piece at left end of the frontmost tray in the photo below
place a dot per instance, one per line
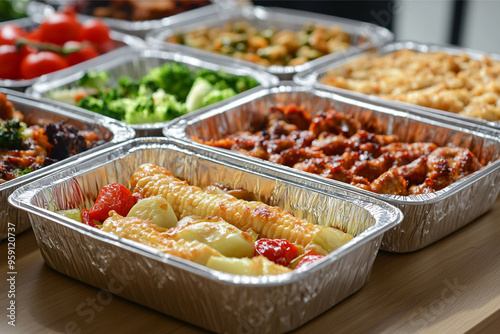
(113, 196)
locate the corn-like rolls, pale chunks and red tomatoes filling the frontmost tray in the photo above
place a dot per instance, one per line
(223, 229)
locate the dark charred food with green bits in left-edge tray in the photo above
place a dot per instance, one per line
(24, 148)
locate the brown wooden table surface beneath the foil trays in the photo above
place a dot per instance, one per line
(452, 286)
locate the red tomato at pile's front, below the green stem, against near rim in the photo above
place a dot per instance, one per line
(43, 62)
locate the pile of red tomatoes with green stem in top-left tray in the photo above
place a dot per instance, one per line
(60, 41)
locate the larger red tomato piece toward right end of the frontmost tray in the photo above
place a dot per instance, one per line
(279, 251)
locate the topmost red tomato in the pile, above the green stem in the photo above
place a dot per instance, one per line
(60, 28)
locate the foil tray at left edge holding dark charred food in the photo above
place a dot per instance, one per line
(41, 111)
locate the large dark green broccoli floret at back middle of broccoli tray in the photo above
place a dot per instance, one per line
(174, 78)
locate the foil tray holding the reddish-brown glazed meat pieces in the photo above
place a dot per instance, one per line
(427, 217)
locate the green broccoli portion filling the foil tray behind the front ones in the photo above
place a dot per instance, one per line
(164, 93)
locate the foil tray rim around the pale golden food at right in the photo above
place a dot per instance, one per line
(312, 76)
